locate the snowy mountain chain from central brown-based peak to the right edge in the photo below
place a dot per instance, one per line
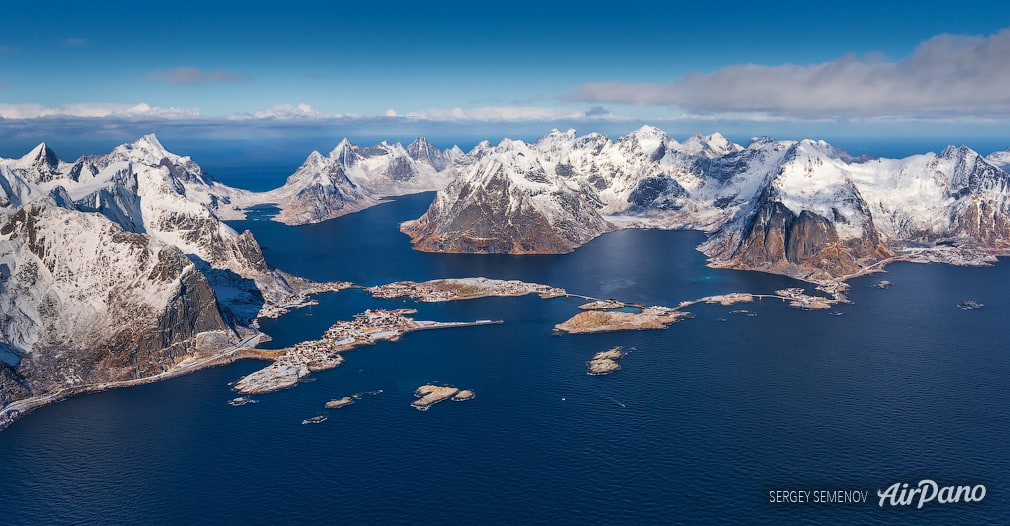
(800, 208)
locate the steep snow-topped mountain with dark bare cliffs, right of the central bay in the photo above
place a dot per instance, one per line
(809, 222)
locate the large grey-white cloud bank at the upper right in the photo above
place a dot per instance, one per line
(947, 76)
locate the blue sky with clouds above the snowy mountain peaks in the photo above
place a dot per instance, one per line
(195, 72)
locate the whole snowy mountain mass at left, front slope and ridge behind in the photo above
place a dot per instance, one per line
(119, 267)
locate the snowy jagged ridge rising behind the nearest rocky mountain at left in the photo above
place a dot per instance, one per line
(146, 189)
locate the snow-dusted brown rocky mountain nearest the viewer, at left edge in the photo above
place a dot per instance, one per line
(86, 302)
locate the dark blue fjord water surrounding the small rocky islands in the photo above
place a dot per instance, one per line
(702, 422)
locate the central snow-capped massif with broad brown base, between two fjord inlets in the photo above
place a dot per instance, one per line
(642, 179)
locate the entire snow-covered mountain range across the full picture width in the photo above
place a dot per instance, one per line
(122, 266)
